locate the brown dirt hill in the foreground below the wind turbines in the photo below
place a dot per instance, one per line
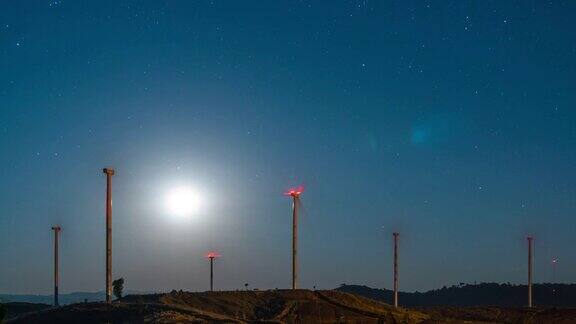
(279, 306)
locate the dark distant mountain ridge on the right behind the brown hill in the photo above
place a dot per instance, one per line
(483, 294)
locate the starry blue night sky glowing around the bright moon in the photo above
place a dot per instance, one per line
(452, 122)
